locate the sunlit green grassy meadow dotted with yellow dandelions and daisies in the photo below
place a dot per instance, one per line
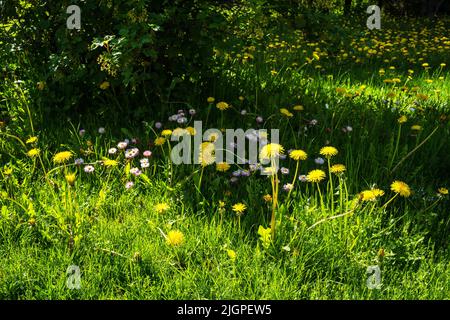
(363, 176)
